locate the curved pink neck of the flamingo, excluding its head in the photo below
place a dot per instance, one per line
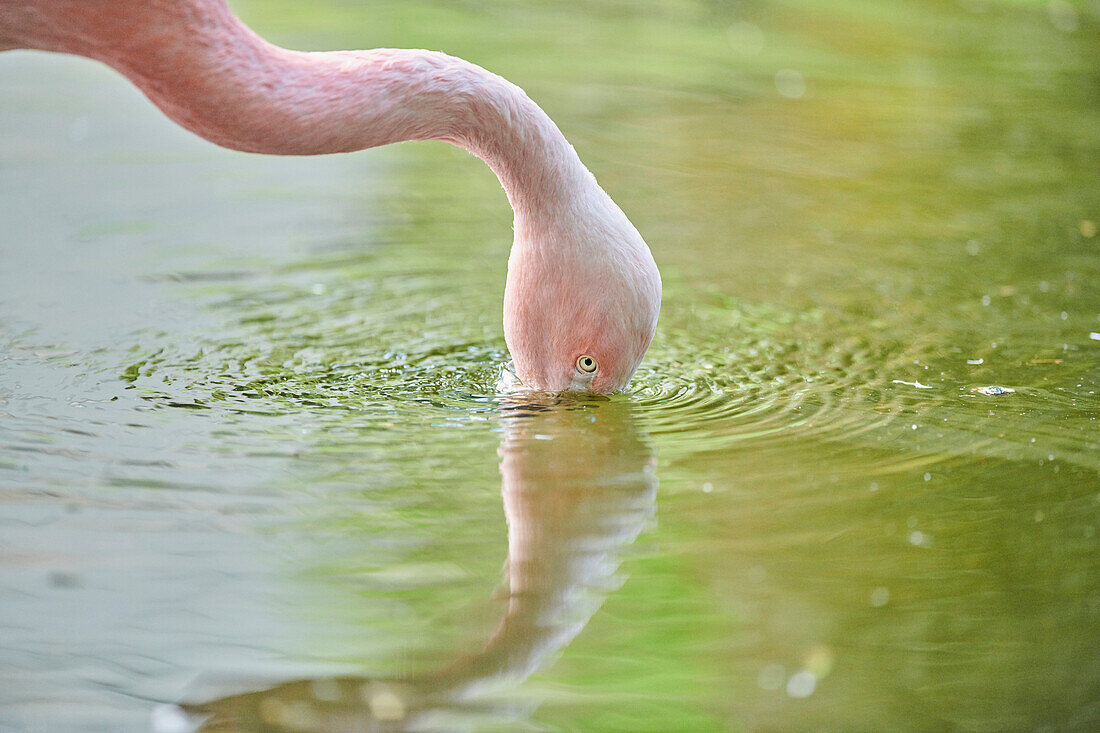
(212, 74)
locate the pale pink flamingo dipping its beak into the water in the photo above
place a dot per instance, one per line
(584, 292)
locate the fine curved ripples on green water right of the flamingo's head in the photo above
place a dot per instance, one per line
(791, 379)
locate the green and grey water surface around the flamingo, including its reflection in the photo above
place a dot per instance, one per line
(254, 458)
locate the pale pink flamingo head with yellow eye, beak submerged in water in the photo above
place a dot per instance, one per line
(581, 302)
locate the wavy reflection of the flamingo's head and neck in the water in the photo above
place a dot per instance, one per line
(579, 485)
